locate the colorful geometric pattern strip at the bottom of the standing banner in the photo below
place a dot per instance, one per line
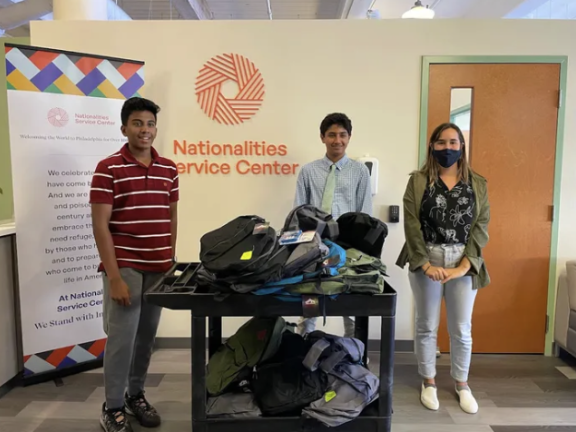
(62, 358)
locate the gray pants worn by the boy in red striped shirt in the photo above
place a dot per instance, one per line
(131, 332)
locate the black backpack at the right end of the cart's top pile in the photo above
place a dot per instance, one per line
(363, 232)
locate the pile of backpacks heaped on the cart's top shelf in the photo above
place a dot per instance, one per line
(247, 255)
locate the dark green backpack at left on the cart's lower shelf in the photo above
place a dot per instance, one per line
(255, 342)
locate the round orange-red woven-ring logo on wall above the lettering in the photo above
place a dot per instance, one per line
(230, 69)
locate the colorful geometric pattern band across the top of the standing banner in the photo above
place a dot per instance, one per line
(37, 70)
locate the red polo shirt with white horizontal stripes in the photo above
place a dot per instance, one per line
(140, 198)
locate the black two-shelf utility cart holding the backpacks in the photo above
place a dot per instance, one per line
(177, 291)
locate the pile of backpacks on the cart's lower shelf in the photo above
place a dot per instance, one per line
(266, 369)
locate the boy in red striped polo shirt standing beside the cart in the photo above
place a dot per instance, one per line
(134, 195)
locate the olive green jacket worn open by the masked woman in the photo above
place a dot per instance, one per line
(414, 251)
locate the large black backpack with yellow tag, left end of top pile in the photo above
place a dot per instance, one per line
(241, 255)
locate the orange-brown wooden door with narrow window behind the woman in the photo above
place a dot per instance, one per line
(513, 144)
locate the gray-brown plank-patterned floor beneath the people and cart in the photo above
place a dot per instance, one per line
(515, 393)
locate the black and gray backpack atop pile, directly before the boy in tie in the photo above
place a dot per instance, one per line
(309, 218)
